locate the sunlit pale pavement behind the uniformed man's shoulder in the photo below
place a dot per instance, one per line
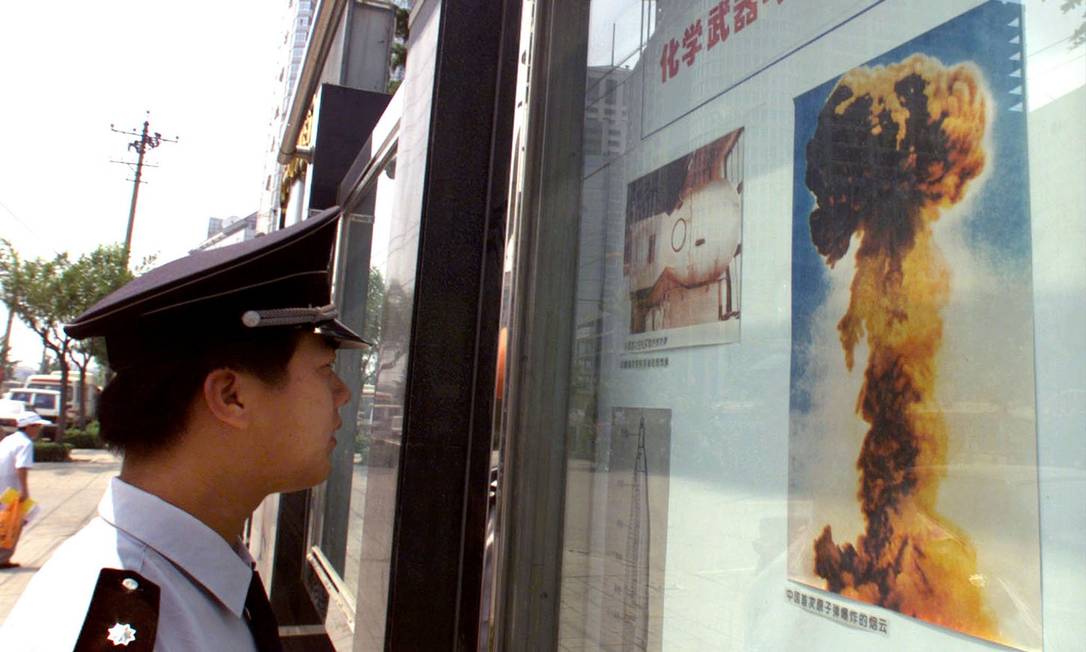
(68, 496)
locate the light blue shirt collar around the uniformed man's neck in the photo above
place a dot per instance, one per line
(224, 571)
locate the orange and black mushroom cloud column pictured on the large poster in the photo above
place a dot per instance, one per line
(894, 147)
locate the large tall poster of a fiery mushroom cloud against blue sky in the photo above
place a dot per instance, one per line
(913, 480)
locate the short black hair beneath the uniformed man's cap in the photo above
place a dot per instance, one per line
(145, 408)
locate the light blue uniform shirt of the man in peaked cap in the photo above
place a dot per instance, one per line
(204, 581)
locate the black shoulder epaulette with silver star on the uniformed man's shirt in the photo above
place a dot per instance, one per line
(123, 615)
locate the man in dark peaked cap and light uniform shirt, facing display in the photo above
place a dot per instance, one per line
(224, 394)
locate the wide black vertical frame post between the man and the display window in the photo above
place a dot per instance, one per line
(435, 586)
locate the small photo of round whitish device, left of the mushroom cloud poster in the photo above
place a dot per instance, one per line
(681, 258)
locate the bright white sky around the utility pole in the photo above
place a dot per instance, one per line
(207, 72)
